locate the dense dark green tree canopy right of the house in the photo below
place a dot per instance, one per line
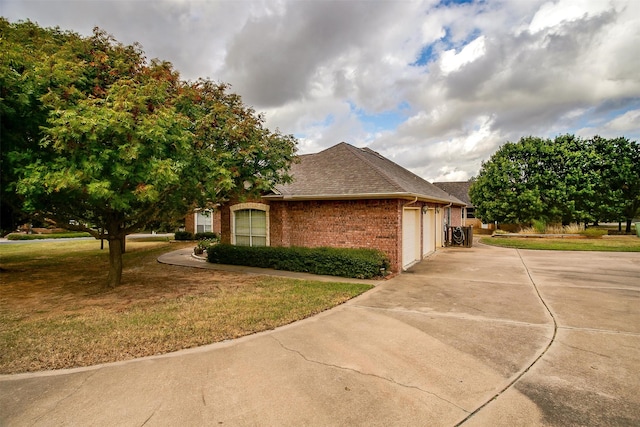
(564, 180)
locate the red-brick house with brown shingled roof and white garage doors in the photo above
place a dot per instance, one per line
(345, 197)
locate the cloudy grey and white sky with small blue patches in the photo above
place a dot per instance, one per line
(436, 86)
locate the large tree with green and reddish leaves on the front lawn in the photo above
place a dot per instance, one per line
(125, 142)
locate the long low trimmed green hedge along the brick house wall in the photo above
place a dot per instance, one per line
(356, 263)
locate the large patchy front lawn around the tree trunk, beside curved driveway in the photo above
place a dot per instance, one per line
(54, 312)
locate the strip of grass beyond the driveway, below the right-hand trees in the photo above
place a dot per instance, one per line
(606, 244)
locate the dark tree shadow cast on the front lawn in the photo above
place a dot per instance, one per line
(76, 284)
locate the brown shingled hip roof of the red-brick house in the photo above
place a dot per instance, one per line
(346, 172)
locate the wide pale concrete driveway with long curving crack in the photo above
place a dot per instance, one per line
(474, 337)
